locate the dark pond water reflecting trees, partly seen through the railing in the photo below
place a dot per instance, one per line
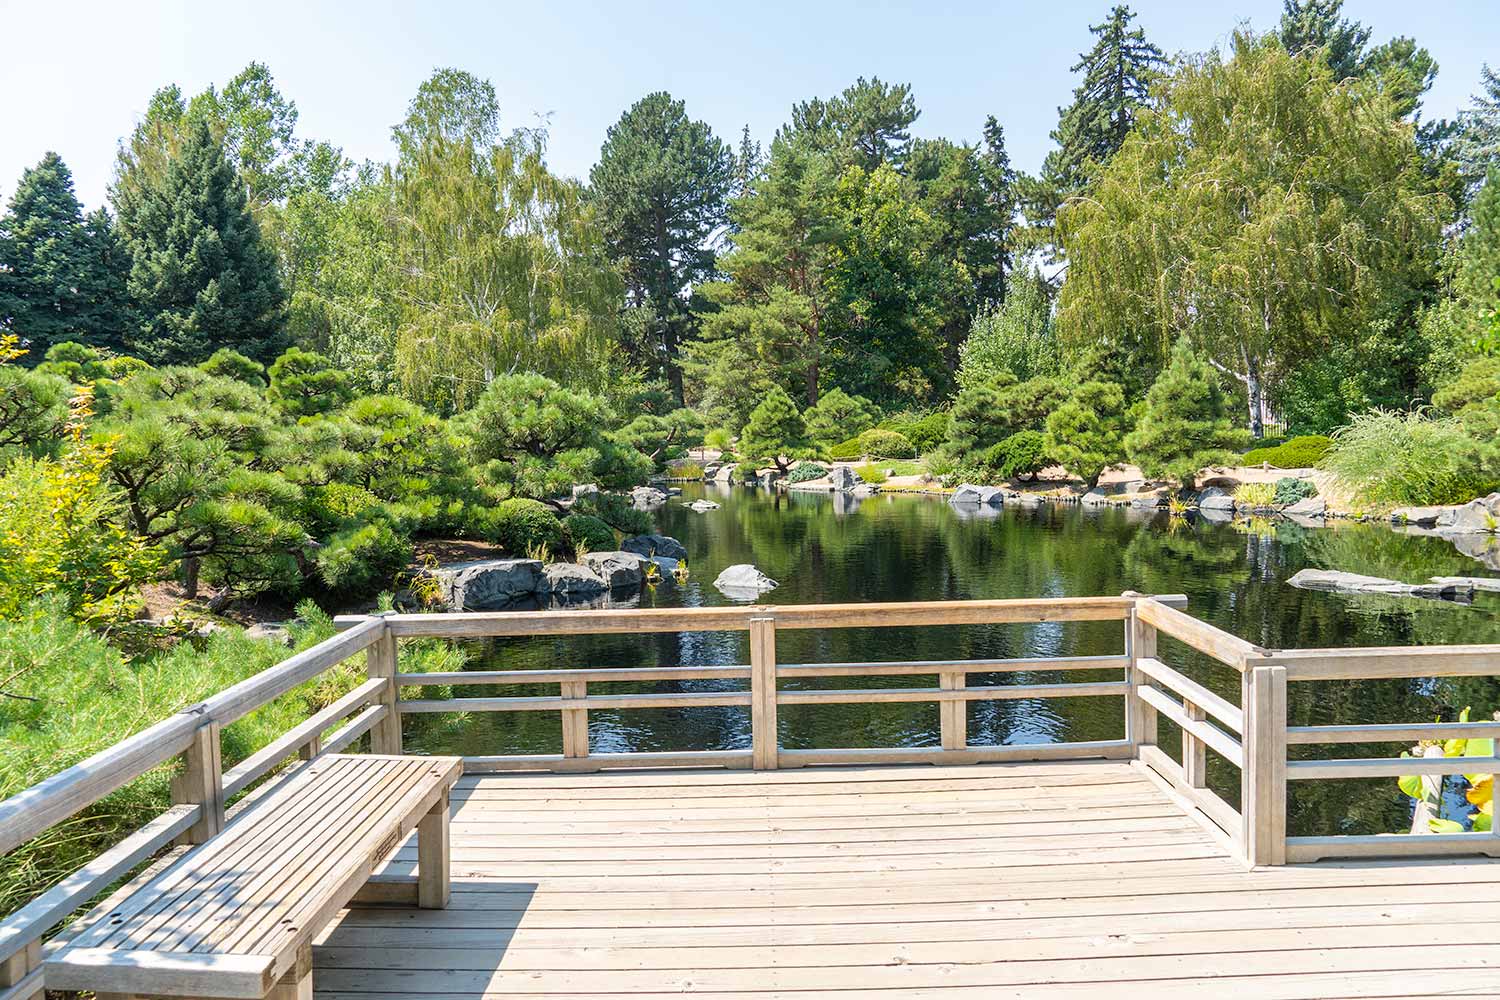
(890, 548)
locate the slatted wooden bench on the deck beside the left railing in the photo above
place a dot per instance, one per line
(236, 917)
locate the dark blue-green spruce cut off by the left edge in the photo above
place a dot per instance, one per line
(59, 274)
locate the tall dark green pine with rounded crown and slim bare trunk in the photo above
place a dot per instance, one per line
(661, 190)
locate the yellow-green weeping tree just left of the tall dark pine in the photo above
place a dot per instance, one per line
(500, 271)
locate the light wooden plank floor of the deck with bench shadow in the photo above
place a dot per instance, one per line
(1058, 879)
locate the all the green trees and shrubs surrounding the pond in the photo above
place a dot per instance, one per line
(268, 377)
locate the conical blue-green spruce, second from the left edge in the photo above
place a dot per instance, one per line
(200, 272)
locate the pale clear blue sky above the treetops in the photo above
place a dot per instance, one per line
(77, 76)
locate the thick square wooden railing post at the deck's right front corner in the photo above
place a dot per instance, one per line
(1264, 782)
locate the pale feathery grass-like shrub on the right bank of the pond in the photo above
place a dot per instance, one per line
(1390, 458)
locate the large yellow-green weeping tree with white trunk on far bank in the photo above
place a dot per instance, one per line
(1264, 209)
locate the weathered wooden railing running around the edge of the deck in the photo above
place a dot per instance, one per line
(1252, 735)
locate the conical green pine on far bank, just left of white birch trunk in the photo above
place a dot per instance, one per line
(1186, 425)
